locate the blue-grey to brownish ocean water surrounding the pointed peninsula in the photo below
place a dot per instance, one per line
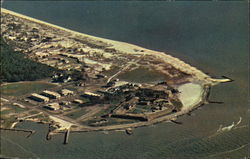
(212, 36)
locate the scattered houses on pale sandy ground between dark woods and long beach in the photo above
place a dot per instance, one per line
(54, 49)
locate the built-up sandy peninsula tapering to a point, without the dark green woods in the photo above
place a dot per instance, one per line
(99, 85)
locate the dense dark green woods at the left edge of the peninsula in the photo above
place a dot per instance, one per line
(16, 67)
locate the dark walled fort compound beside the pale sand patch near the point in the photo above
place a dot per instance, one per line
(152, 101)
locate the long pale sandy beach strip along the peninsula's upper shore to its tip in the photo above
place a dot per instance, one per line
(127, 48)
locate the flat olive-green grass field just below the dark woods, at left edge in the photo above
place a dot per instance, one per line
(22, 88)
